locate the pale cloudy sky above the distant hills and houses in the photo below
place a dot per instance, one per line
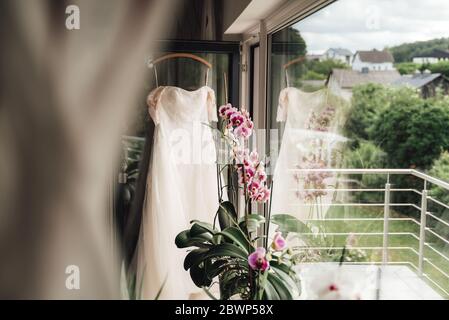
(369, 24)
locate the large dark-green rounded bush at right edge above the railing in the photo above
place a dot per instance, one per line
(412, 131)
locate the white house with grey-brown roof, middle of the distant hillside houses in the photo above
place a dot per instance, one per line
(374, 60)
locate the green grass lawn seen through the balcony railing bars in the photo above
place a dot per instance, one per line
(403, 242)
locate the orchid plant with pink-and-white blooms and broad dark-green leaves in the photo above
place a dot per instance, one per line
(236, 250)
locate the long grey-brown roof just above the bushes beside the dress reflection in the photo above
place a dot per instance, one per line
(347, 78)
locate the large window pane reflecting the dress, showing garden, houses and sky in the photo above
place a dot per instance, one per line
(363, 84)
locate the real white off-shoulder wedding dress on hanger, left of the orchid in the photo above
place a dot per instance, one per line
(181, 187)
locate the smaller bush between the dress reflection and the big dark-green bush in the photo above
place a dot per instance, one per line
(368, 101)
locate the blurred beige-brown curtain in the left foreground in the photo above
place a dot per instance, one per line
(64, 96)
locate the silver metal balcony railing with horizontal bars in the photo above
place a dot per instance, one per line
(425, 231)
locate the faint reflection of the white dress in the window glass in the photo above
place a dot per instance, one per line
(310, 141)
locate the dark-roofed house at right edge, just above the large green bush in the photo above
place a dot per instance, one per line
(426, 83)
